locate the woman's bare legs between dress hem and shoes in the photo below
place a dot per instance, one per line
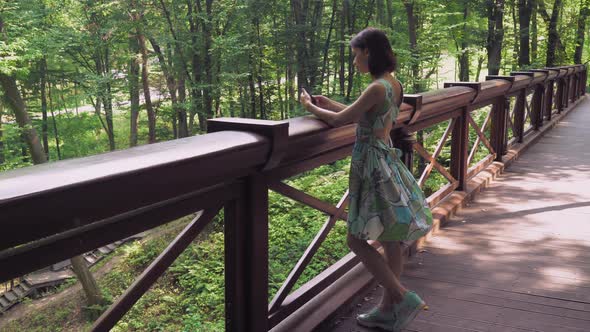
(380, 269)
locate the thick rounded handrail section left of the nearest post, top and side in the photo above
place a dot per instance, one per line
(48, 199)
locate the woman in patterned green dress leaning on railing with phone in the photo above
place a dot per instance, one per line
(386, 203)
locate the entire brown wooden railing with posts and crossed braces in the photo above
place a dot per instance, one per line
(52, 212)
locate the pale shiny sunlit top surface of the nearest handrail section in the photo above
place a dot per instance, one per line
(24, 182)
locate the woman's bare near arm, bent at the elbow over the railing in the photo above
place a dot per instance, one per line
(371, 96)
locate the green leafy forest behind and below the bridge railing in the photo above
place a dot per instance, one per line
(83, 77)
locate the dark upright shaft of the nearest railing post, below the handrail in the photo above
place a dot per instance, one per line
(246, 258)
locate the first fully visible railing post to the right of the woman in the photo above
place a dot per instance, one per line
(460, 149)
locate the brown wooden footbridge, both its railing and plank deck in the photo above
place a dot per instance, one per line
(514, 260)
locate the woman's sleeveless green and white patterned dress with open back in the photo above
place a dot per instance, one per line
(386, 203)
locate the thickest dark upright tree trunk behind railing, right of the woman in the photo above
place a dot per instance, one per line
(495, 37)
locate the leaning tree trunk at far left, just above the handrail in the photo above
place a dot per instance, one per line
(16, 103)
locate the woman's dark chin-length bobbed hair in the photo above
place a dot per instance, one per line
(381, 56)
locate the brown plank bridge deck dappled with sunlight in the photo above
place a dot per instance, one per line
(518, 257)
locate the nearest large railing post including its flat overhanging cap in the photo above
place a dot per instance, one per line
(246, 232)
